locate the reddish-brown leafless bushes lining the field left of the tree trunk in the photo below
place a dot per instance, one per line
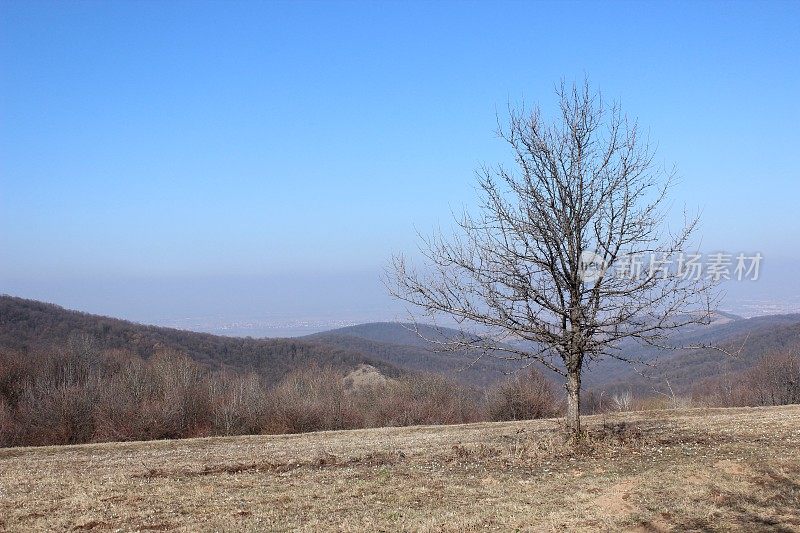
(80, 394)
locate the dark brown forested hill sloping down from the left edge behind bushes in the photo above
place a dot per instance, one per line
(33, 327)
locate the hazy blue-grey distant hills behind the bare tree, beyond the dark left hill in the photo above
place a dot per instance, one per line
(398, 344)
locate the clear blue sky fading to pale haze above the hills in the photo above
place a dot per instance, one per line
(150, 151)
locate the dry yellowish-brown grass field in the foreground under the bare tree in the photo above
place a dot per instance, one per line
(693, 470)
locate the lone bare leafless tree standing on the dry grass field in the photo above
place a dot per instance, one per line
(548, 259)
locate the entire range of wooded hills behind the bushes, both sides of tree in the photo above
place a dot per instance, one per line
(393, 348)
